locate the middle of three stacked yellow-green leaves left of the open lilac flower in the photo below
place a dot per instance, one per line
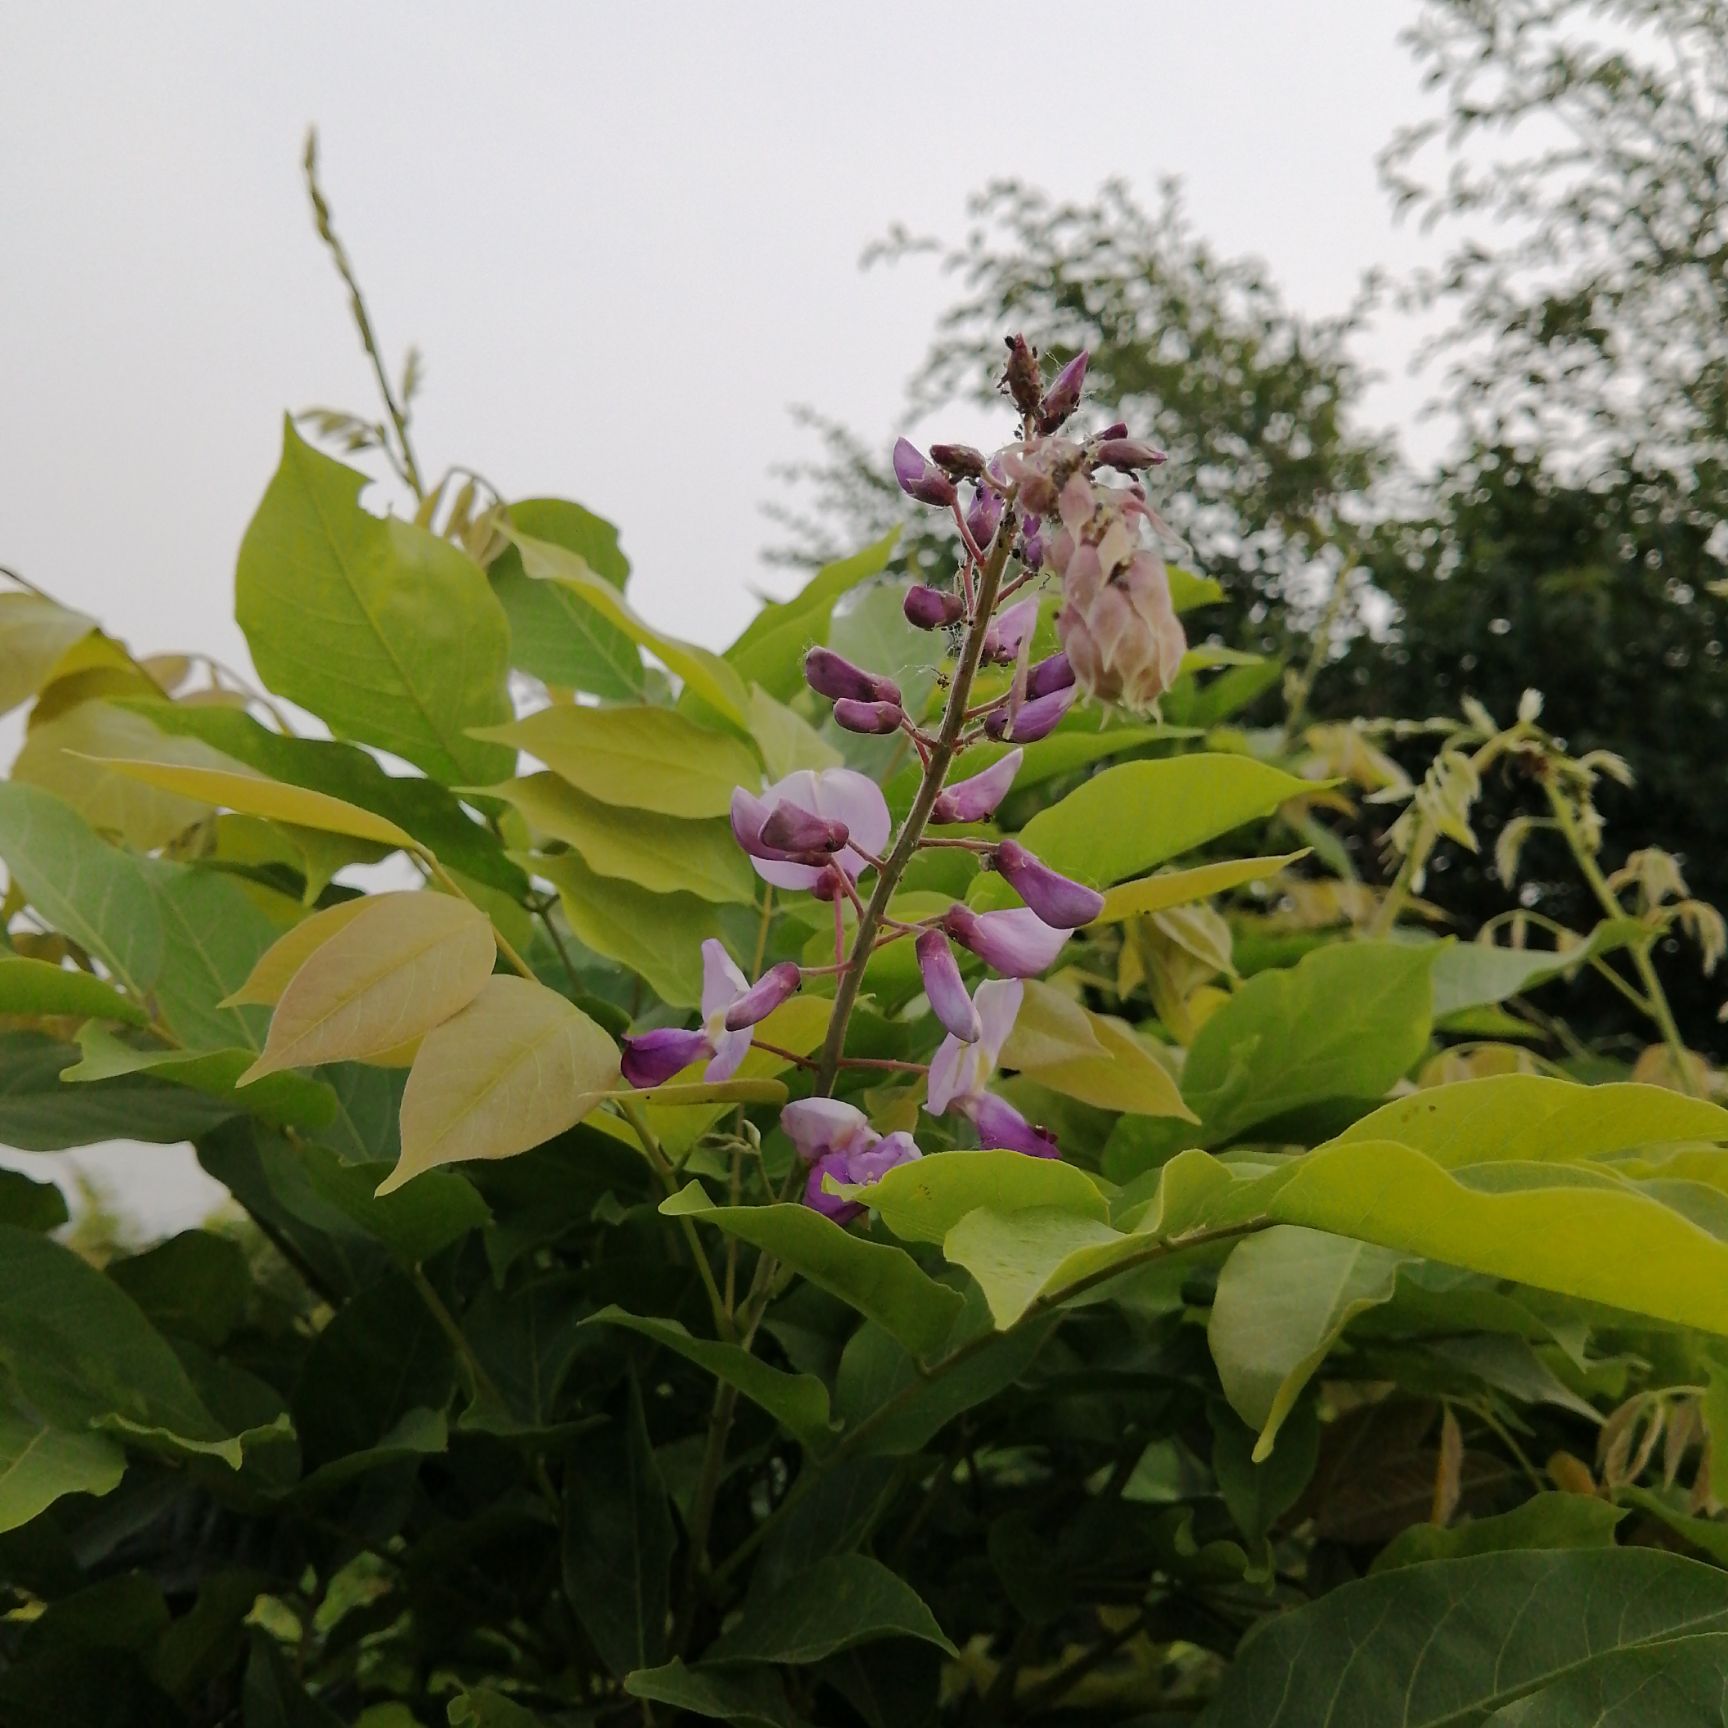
(663, 854)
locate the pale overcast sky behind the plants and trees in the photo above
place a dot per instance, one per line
(625, 236)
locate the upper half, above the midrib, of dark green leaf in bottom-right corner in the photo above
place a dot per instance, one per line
(1445, 1644)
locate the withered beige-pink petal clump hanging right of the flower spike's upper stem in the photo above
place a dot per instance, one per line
(1121, 630)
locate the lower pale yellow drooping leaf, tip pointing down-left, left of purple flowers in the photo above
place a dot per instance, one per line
(514, 1069)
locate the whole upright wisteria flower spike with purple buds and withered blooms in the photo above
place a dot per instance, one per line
(1041, 518)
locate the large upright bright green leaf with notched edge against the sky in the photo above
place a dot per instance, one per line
(378, 626)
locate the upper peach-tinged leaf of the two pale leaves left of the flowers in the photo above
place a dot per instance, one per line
(388, 975)
